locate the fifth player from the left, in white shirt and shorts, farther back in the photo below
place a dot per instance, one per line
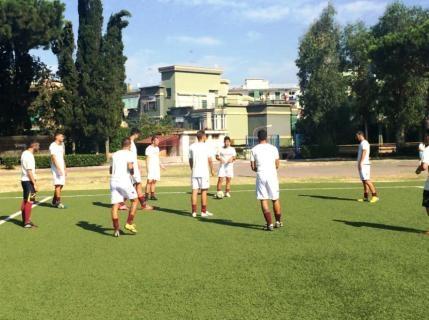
(153, 167)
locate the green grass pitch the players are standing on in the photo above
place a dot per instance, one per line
(335, 258)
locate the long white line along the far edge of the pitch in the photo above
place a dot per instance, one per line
(236, 191)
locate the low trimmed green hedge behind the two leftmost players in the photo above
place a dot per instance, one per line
(72, 160)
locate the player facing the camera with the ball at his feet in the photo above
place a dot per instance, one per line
(226, 156)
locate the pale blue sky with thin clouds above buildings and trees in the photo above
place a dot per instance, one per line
(246, 38)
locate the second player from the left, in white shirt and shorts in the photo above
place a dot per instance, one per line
(58, 168)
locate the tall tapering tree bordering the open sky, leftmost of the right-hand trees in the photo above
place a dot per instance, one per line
(322, 83)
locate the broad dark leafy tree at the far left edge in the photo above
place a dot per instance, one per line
(24, 25)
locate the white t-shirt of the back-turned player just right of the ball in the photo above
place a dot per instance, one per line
(265, 156)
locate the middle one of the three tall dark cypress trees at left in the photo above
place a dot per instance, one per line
(89, 66)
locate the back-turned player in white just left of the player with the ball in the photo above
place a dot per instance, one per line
(200, 161)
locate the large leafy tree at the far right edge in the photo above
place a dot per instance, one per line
(403, 90)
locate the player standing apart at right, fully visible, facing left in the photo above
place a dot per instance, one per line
(364, 167)
